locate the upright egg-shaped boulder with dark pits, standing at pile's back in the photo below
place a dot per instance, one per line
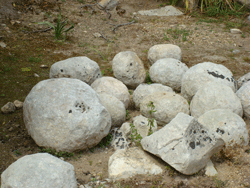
(129, 69)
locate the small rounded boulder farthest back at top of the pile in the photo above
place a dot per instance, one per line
(161, 51)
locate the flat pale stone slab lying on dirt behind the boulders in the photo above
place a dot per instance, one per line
(164, 11)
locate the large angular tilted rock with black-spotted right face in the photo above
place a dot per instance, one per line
(184, 144)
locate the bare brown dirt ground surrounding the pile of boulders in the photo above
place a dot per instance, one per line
(200, 38)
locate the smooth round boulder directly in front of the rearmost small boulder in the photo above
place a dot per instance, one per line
(169, 72)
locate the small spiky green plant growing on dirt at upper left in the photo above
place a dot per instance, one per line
(59, 28)
